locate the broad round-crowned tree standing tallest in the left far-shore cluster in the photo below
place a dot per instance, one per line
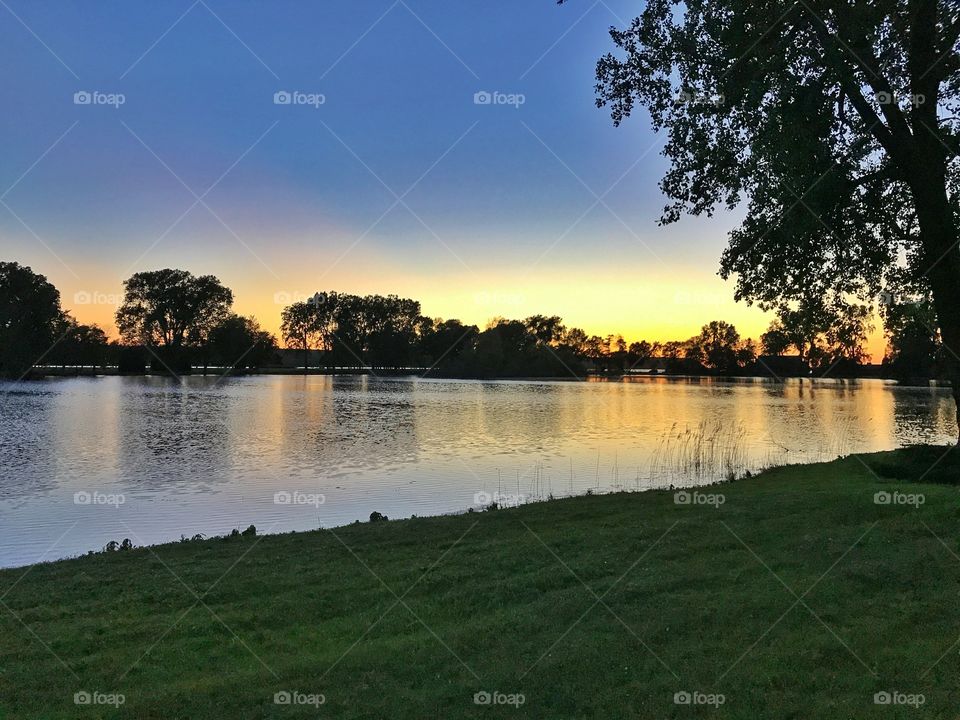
(172, 310)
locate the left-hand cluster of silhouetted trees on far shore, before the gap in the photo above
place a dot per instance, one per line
(169, 320)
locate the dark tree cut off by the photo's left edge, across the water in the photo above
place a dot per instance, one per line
(30, 317)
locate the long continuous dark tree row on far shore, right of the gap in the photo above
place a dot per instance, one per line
(391, 333)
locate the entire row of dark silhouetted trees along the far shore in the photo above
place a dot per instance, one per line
(174, 321)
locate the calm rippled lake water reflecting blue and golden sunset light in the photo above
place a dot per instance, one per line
(85, 461)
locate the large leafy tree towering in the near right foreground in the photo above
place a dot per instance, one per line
(834, 123)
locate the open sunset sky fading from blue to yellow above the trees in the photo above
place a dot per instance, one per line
(450, 152)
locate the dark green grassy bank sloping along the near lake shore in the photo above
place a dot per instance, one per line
(797, 597)
